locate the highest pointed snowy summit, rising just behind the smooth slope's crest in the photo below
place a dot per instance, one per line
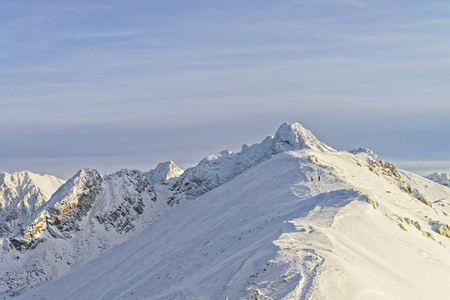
(294, 136)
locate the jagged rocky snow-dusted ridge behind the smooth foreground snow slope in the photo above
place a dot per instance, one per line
(103, 212)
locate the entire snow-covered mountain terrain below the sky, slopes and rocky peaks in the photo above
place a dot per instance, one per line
(288, 218)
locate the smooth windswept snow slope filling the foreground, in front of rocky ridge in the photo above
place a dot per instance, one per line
(365, 230)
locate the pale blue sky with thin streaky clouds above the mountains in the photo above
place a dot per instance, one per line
(114, 84)
